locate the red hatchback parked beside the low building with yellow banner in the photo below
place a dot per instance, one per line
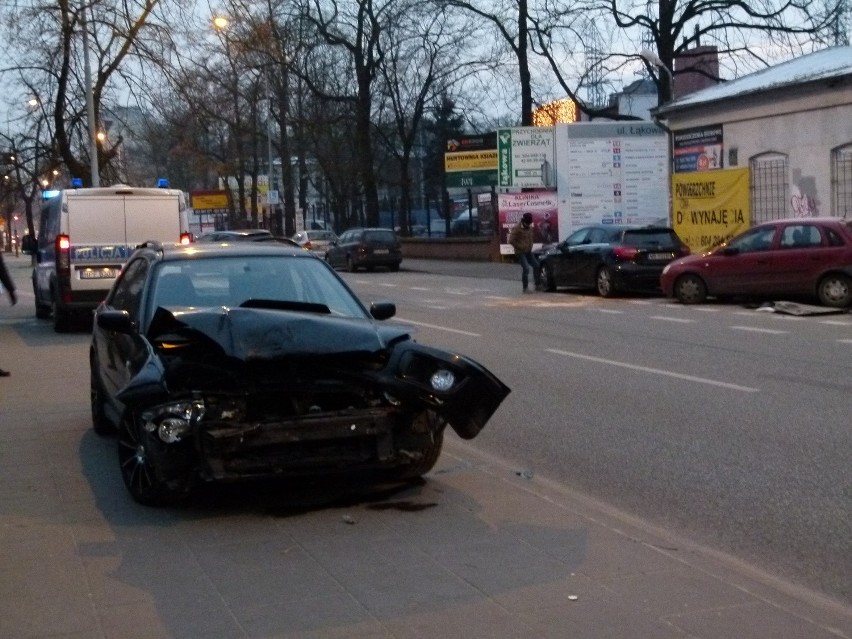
(797, 256)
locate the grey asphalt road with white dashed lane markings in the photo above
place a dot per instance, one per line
(725, 423)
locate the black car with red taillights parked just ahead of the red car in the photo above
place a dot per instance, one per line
(610, 258)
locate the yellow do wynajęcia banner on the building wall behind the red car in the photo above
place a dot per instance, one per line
(710, 207)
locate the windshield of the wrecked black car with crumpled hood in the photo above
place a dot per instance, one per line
(231, 281)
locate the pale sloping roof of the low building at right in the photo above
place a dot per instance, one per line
(833, 62)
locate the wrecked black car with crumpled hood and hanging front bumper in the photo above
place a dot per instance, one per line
(225, 363)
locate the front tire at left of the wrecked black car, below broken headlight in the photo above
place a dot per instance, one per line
(145, 480)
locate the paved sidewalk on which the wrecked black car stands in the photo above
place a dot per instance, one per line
(480, 549)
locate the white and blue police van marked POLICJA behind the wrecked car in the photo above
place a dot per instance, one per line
(85, 237)
